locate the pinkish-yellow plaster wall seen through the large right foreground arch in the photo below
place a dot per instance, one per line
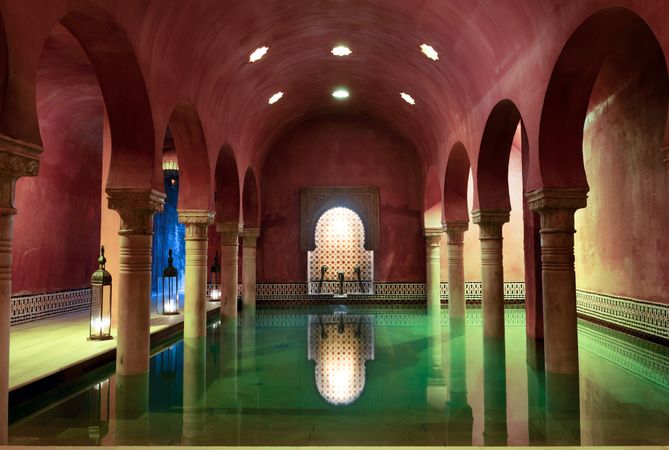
(621, 243)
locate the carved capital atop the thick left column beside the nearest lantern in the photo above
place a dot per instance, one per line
(136, 208)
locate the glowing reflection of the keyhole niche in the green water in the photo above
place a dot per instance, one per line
(340, 344)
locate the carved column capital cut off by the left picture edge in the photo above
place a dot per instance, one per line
(17, 159)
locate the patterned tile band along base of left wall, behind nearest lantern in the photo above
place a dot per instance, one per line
(26, 308)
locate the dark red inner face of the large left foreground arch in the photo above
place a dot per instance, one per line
(133, 162)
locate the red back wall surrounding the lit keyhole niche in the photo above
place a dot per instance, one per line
(342, 151)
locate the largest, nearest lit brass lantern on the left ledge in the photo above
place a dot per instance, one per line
(100, 324)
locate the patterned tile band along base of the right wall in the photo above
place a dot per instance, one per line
(649, 320)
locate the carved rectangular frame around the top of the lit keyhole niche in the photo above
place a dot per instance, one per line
(317, 200)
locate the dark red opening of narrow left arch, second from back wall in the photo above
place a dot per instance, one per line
(227, 186)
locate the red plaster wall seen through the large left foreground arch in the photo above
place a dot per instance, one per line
(57, 228)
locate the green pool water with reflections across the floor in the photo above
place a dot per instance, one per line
(376, 377)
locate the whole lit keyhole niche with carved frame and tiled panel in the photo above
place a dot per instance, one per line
(340, 229)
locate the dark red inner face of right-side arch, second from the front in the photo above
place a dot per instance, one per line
(492, 170)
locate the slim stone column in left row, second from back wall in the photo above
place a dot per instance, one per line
(229, 267)
